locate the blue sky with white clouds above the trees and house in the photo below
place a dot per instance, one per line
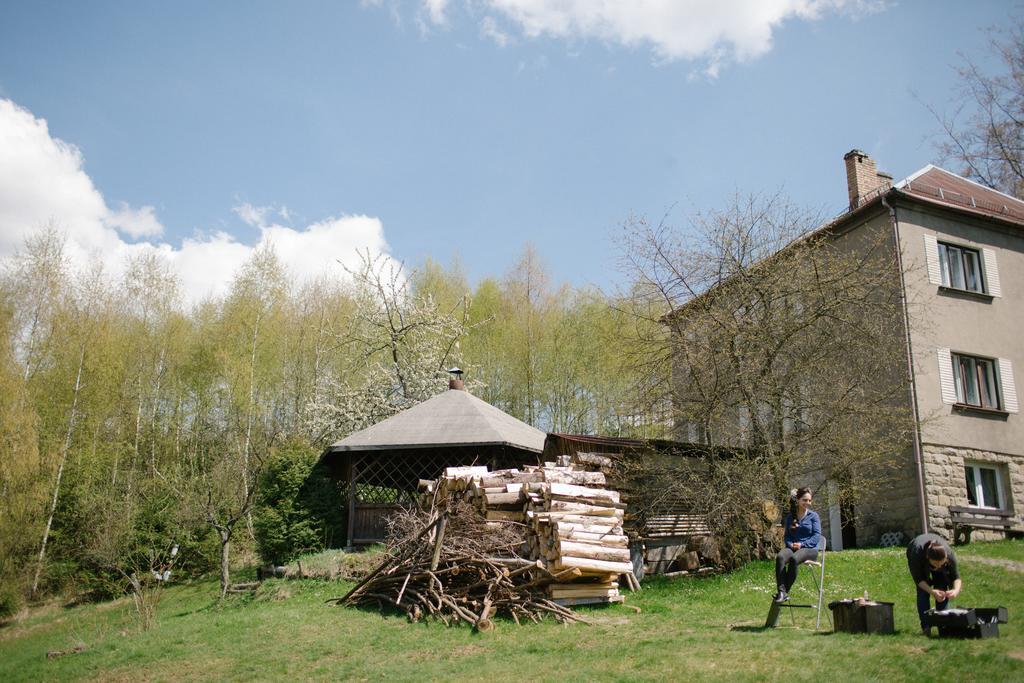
(450, 126)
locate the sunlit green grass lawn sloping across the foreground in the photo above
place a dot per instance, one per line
(686, 629)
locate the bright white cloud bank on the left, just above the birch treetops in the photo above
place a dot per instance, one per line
(42, 183)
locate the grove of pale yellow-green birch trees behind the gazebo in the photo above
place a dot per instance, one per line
(132, 423)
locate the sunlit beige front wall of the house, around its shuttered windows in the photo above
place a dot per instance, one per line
(993, 328)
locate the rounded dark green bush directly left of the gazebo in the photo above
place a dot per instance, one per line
(300, 509)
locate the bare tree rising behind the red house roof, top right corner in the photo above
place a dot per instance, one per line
(986, 132)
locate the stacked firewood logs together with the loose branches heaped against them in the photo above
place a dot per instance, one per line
(525, 544)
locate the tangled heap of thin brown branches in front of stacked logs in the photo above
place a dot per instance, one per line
(451, 565)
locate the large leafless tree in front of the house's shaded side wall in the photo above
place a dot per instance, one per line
(767, 336)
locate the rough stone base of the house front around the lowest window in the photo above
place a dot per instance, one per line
(946, 485)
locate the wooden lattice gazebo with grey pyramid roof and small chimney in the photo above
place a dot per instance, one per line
(382, 465)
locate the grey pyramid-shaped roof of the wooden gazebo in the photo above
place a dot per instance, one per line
(454, 418)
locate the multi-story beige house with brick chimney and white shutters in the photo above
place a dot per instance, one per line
(960, 249)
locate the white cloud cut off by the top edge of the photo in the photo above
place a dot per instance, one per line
(716, 32)
